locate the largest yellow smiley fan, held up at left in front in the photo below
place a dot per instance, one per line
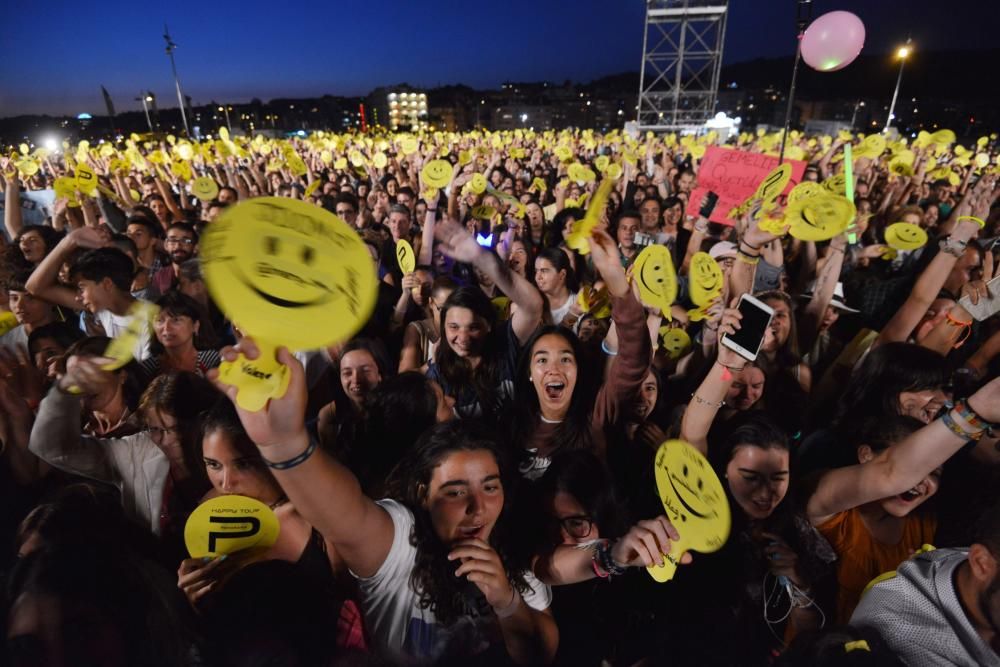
(287, 273)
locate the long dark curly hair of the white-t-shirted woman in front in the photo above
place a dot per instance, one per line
(433, 575)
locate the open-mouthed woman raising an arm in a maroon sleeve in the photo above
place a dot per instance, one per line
(555, 406)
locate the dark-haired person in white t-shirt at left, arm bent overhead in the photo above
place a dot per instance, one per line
(103, 278)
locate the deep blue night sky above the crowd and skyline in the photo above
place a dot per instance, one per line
(54, 59)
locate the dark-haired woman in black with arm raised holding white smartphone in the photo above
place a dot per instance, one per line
(770, 579)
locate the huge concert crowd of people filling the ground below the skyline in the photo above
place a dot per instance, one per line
(470, 476)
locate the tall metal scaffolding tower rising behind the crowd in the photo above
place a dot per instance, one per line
(681, 59)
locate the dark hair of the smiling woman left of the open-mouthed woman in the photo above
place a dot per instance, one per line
(456, 371)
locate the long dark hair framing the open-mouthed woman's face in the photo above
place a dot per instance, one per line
(574, 431)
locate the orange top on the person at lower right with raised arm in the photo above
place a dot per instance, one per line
(861, 558)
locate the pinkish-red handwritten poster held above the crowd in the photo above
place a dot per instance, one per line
(734, 175)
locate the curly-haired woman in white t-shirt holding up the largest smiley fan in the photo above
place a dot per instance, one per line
(436, 577)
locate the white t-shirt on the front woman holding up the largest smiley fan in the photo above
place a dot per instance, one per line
(400, 628)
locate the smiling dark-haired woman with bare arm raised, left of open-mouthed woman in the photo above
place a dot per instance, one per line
(474, 363)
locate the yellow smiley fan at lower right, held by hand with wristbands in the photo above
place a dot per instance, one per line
(695, 503)
